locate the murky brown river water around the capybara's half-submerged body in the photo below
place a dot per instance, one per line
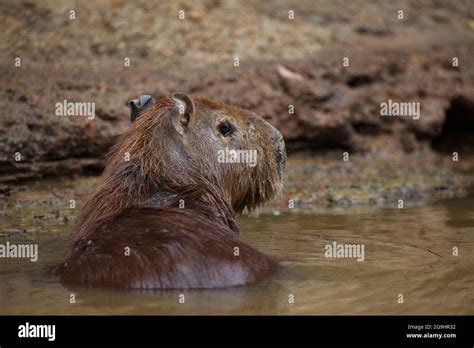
(407, 251)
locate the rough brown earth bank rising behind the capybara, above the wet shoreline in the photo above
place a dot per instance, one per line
(283, 62)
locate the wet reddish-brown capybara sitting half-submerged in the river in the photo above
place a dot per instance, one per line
(163, 214)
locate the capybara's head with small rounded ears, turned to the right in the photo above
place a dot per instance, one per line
(184, 140)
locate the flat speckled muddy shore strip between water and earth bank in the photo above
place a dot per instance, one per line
(321, 184)
